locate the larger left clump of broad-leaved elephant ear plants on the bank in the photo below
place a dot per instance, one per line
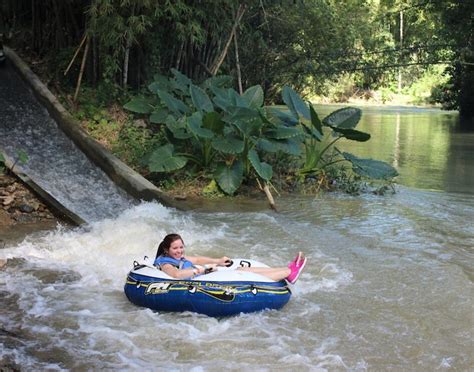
(214, 129)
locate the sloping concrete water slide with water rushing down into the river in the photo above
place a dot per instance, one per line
(72, 172)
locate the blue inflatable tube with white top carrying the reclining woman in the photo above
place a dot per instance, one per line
(223, 293)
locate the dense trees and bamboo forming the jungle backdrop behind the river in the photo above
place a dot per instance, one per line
(319, 47)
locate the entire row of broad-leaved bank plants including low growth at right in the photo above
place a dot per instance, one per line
(212, 132)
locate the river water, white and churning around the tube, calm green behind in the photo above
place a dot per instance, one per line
(388, 285)
